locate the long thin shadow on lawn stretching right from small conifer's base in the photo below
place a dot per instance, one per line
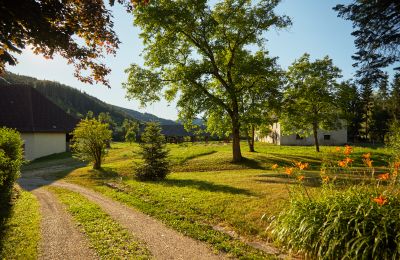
(205, 186)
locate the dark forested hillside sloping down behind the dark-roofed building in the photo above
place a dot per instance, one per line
(78, 103)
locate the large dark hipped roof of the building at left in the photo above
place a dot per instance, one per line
(26, 110)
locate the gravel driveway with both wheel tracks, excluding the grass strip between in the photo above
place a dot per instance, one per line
(61, 240)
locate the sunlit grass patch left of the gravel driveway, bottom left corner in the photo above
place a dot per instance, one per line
(20, 227)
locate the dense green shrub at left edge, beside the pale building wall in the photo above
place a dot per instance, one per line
(10, 160)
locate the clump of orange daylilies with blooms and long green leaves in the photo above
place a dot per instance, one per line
(353, 221)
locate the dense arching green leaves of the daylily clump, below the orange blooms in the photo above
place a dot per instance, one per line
(342, 224)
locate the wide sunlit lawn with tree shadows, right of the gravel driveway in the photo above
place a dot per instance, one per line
(206, 196)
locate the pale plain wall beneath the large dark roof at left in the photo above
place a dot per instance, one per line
(42, 144)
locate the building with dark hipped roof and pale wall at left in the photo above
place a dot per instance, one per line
(44, 126)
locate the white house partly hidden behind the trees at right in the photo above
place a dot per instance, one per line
(336, 137)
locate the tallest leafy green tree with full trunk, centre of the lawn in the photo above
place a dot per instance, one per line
(201, 53)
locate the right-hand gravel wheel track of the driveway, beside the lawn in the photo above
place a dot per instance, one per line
(163, 242)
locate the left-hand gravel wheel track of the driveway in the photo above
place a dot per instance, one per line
(60, 237)
